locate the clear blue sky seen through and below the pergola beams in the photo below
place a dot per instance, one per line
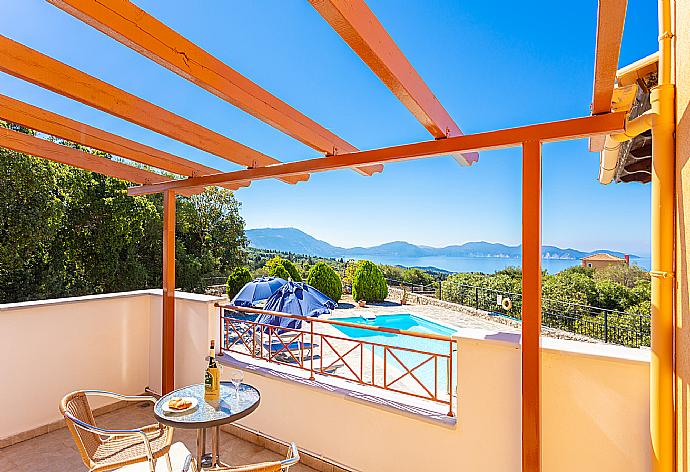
(492, 64)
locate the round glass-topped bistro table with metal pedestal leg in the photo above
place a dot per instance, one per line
(209, 414)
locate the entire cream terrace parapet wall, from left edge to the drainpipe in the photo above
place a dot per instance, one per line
(595, 398)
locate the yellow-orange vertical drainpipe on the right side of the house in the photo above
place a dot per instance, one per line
(662, 412)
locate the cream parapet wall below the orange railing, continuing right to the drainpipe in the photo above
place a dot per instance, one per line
(595, 414)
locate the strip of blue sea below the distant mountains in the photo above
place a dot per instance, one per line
(486, 265)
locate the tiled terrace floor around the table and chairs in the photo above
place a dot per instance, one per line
(55, 451)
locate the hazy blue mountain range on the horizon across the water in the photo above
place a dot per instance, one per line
(298, 242)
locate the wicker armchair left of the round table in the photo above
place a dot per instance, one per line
(103, 449)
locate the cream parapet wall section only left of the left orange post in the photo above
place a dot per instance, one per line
(53, 347)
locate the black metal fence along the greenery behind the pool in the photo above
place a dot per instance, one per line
(610, 326)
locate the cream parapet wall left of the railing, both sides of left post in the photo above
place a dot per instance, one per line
(109, 342)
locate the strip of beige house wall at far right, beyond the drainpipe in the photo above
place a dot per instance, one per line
(682, 74)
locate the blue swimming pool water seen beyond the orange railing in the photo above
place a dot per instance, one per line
(406, 322)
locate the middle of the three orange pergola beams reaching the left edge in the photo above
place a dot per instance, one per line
(47, 122)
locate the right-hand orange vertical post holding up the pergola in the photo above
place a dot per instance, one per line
(531, 306)
